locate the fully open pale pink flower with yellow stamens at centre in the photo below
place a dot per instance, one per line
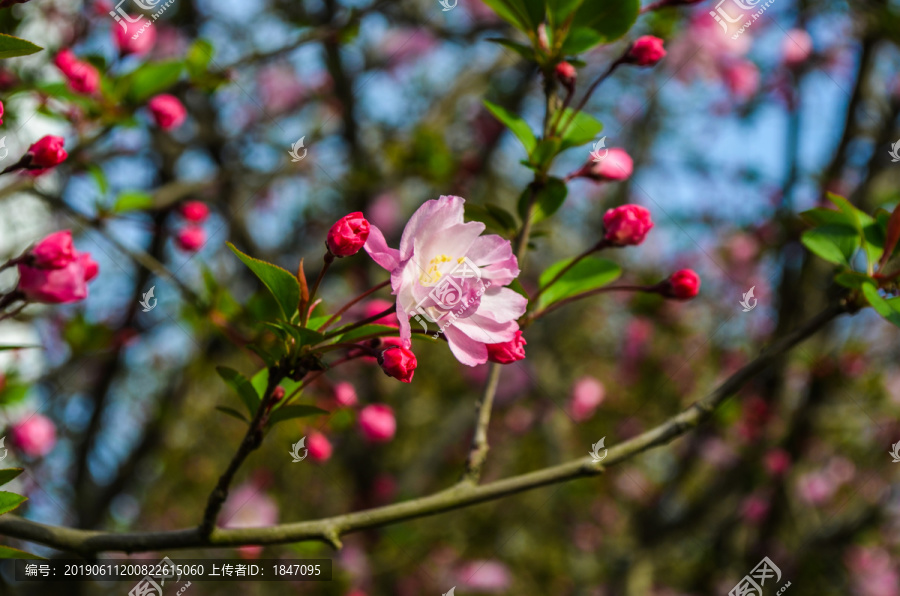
(446, 272)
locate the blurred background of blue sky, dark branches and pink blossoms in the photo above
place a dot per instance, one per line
(731, 138)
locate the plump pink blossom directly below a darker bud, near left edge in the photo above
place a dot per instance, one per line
(58, 286)
